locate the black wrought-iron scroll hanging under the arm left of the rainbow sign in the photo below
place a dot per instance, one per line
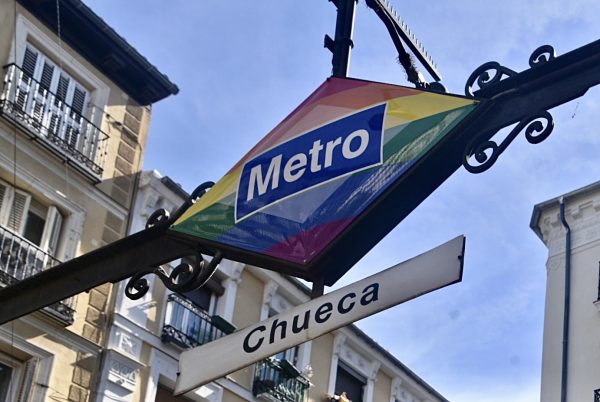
(183, 278)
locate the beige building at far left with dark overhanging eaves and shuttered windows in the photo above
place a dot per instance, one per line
(74, 115)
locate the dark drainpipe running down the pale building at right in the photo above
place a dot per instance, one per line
(567, 302)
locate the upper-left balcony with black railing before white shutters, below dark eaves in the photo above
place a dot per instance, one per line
(45, 117)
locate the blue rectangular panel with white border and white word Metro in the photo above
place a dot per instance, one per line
(337, 149)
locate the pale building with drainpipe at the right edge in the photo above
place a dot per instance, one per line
(569, 226)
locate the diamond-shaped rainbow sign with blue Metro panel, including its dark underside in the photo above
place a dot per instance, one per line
(332, 179)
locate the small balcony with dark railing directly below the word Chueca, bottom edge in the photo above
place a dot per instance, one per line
(279, 381)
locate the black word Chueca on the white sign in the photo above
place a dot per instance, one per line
(279, 329)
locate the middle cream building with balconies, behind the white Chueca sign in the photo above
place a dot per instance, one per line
(147, 336)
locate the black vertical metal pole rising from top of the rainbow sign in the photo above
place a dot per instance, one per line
(342, 44)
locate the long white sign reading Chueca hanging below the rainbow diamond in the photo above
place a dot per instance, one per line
(437, 268)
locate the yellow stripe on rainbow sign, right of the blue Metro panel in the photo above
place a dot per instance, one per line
(409, 108)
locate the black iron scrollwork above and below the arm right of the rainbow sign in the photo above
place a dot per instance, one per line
(537, 126)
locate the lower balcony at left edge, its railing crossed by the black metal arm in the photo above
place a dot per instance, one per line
(20, 259)
